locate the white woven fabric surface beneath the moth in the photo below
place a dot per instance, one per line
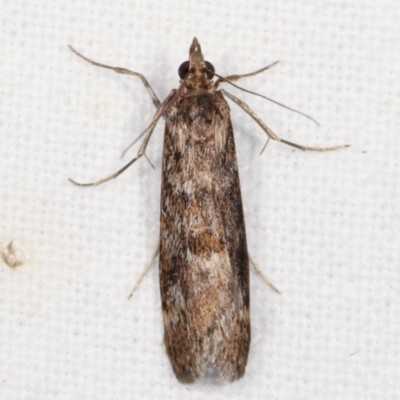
(325, 227)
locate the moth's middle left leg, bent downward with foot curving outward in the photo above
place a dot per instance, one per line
(147, 133)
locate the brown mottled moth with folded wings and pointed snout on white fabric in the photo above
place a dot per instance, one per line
(203, 255)
